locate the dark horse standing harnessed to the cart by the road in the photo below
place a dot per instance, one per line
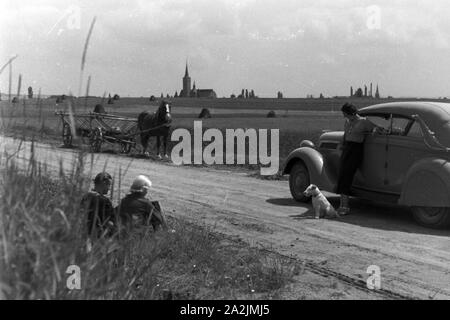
(155, 125)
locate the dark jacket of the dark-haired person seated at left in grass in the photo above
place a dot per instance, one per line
(99, 213)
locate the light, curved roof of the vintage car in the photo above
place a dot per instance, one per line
(435, 114)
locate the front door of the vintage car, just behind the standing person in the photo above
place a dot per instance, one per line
(372, 173)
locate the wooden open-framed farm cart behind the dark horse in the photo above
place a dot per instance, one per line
(99, 128)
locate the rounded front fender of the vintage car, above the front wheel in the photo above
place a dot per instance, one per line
(314, 162)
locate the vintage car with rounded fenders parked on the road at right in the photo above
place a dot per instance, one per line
(407, 164)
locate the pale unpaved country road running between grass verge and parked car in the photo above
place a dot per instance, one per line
(414, 261)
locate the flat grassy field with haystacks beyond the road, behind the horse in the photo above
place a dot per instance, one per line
(297, 119)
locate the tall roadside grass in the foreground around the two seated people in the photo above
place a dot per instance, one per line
(42, 234)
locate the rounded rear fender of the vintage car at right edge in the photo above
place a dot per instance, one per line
(427, 184)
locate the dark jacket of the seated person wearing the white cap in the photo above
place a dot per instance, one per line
(136, 210)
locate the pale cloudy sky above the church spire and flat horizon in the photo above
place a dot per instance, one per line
(140, 47)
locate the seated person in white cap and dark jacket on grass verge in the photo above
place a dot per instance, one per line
(135, 209)
